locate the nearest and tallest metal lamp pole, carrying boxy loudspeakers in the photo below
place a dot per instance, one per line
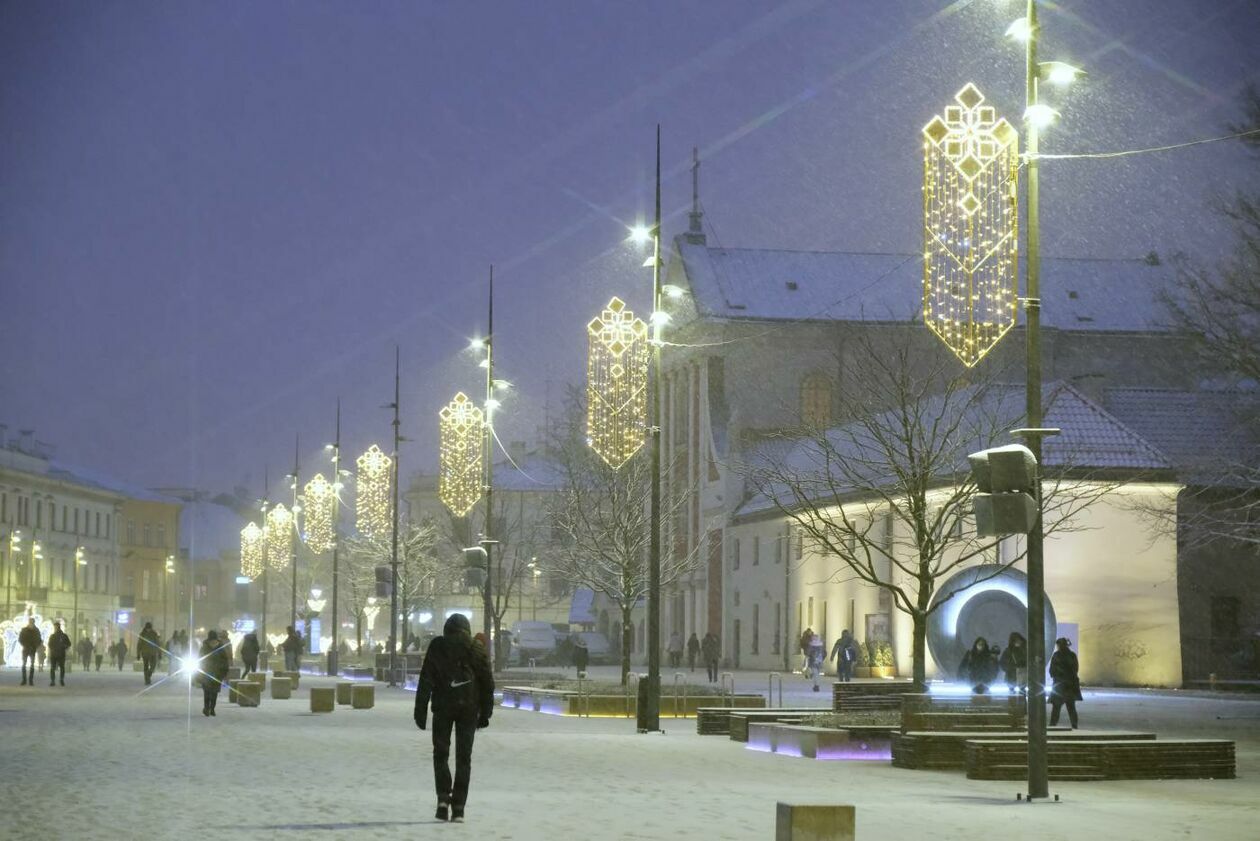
(1039, 784)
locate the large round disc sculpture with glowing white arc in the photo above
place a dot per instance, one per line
(986, 601)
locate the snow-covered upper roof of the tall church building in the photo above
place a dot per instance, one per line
(765, 284)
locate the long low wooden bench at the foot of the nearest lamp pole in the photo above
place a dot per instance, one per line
(1106, 760)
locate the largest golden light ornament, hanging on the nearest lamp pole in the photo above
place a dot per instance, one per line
(971, 226)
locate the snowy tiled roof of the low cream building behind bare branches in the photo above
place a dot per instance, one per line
(1092, 439)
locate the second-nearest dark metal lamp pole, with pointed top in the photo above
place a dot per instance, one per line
(652, 716)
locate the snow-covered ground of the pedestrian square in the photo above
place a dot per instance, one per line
(101, 760)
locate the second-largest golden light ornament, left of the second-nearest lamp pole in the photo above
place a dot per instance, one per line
(617, 384)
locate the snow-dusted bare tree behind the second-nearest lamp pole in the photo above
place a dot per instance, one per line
(604, 515)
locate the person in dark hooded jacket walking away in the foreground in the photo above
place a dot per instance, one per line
(458, 681)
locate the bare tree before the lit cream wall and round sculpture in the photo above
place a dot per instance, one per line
(890, 495)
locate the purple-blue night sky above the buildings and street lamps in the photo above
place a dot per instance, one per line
(219, 217)
